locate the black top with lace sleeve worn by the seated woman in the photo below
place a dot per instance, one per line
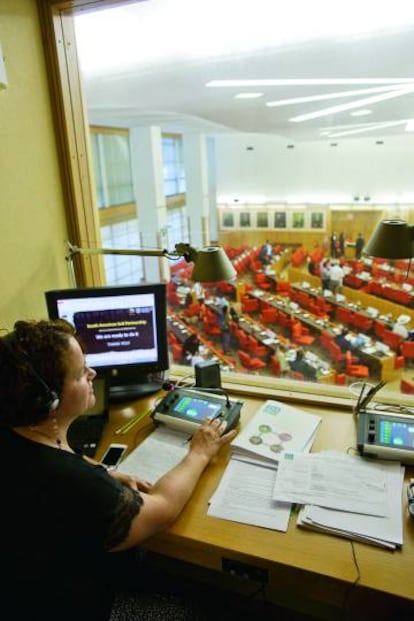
(59, 518)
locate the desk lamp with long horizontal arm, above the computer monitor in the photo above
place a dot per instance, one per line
(211, 264)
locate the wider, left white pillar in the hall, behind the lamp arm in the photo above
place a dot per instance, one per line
(147, 177)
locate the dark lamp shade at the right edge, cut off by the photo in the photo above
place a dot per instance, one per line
(392, 239)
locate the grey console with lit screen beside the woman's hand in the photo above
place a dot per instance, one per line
(187, 408)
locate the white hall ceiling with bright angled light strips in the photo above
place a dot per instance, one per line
(170, 89)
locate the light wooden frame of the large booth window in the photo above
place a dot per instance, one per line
(71, 124)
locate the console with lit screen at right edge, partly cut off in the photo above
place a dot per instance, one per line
(386, 436)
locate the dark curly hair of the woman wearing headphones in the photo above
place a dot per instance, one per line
(34, 348)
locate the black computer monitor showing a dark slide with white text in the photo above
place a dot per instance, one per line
(123, 331)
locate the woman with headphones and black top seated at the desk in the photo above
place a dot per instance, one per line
(61, 514)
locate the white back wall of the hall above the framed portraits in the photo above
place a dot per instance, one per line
(314, 172)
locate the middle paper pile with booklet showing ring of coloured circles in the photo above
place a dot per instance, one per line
(245, 491)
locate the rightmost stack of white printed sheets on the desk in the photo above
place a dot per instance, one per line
(344, 495)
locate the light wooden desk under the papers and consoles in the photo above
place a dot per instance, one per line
(307, 571)
